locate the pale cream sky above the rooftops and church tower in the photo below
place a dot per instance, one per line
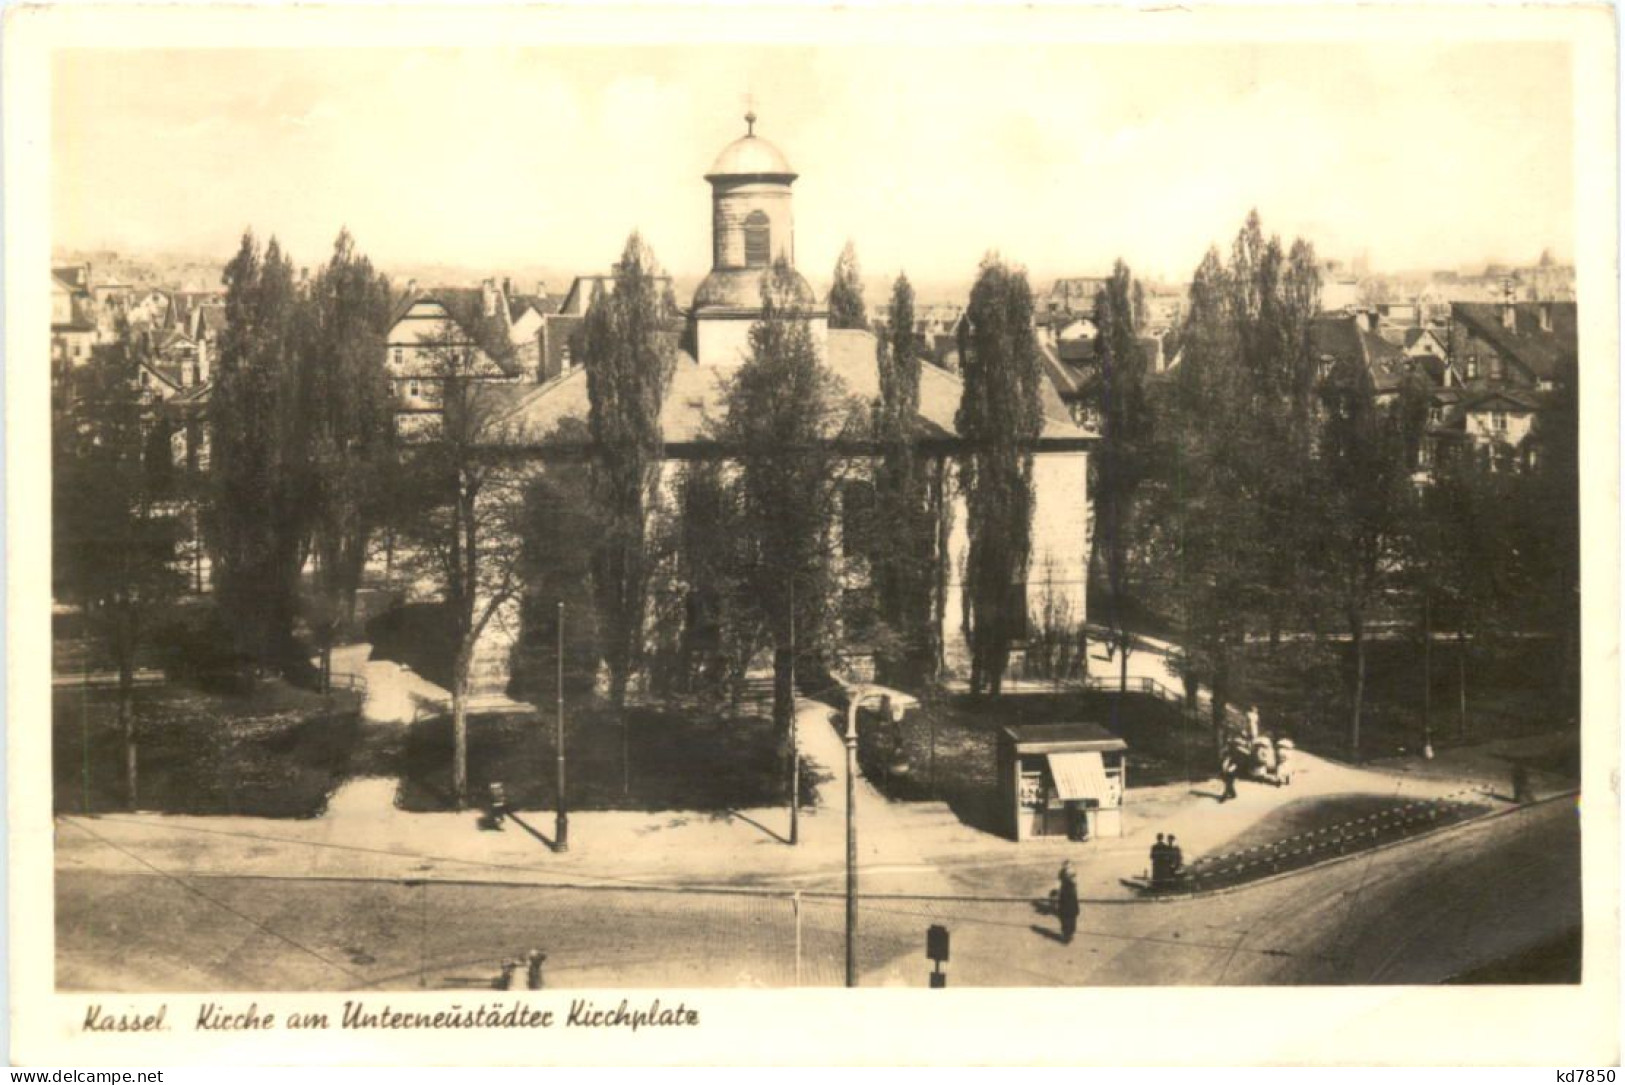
(1062, 158)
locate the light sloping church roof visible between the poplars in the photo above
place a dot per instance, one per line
(696, 399)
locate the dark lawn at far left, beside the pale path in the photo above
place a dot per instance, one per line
(277, 753)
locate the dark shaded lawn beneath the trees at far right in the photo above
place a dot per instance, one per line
(1307, 696)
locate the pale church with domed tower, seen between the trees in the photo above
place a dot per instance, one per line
(753, 227)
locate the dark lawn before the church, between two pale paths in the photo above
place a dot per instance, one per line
(682, 759)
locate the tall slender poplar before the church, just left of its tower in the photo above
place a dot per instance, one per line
(630, 358)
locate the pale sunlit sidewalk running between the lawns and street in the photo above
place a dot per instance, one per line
(904, 847)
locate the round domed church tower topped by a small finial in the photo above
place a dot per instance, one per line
(753, 227)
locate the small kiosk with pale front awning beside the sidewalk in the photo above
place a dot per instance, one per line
(1062, 780)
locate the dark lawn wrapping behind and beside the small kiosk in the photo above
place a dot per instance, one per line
(948, 748)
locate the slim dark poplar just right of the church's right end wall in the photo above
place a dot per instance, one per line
(1122, 464)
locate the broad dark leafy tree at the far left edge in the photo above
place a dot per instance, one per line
(115, 537)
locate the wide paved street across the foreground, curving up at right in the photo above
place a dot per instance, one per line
(1416, 914)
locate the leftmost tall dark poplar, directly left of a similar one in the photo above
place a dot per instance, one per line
(259, 512)
